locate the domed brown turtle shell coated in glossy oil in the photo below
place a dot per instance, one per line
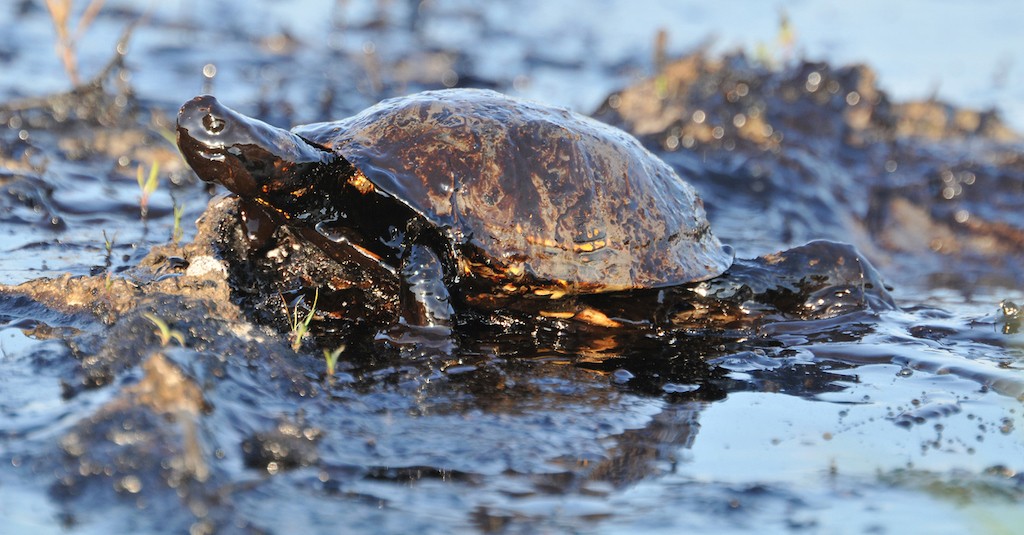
(526, 191)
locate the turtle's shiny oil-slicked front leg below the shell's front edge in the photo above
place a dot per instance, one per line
(425, 300)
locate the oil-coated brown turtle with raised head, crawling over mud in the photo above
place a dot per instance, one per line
(471, 197)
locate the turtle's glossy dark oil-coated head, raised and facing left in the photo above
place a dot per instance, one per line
(249, 157)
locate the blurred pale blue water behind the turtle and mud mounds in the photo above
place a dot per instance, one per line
(573, 54)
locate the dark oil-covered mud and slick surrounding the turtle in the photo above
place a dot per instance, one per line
(859, 368)
